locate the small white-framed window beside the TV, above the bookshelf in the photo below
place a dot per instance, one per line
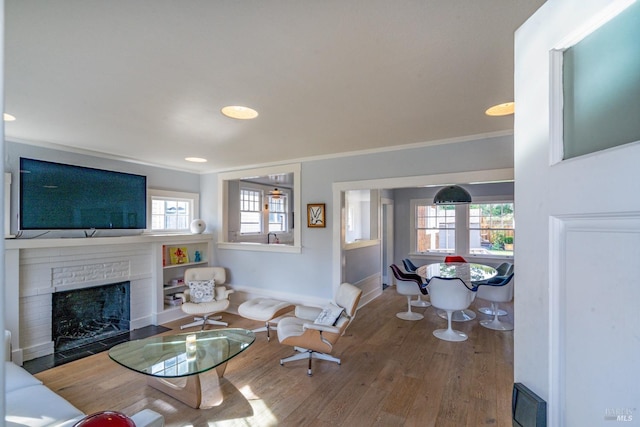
(172, 211)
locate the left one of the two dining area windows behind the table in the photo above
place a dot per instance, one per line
(435, 228)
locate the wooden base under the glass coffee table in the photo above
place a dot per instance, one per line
(190, 390)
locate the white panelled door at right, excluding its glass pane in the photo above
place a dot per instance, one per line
(577, 294)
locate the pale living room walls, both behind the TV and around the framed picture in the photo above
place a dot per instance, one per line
(308, 274)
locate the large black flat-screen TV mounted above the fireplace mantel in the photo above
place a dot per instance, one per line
(55, 196)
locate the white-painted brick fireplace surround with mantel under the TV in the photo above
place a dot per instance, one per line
(37, 268)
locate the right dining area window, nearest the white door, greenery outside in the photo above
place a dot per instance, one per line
(491, 228)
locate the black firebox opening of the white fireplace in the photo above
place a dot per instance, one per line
(83, 316)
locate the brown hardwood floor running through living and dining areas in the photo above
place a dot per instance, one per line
(393, 373)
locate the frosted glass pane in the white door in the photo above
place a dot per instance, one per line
(600, 87)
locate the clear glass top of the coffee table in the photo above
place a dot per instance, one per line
(171, 356)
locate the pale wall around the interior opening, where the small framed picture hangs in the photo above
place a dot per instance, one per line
(310, 272)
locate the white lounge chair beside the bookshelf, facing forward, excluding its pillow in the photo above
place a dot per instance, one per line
(204, 311)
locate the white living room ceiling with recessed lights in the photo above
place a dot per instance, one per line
(145, 79)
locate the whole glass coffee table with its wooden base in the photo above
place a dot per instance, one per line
(185, 366)
